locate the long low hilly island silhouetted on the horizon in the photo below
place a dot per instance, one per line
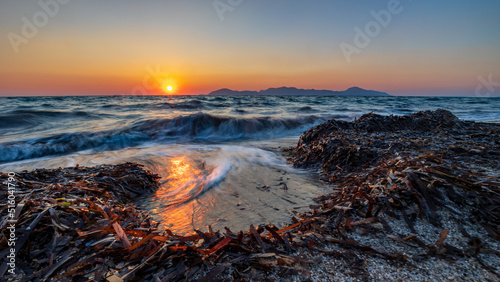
(292, 91)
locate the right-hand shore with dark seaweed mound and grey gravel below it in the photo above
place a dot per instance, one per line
(423, 185)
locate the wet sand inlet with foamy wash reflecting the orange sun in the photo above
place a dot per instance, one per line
(231, 185)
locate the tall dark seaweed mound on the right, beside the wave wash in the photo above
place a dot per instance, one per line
(407, 167)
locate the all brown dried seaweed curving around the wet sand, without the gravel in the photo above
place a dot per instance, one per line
(80, 223)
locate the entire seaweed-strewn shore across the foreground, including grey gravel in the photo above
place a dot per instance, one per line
(391, 193)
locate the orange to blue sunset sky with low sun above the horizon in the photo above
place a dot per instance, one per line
(95, 47)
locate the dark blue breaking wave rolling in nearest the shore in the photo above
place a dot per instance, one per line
(199, 127)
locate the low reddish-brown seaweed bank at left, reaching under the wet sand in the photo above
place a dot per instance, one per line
(79, 224)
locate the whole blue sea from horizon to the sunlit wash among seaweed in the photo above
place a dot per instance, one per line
(220, 158)
